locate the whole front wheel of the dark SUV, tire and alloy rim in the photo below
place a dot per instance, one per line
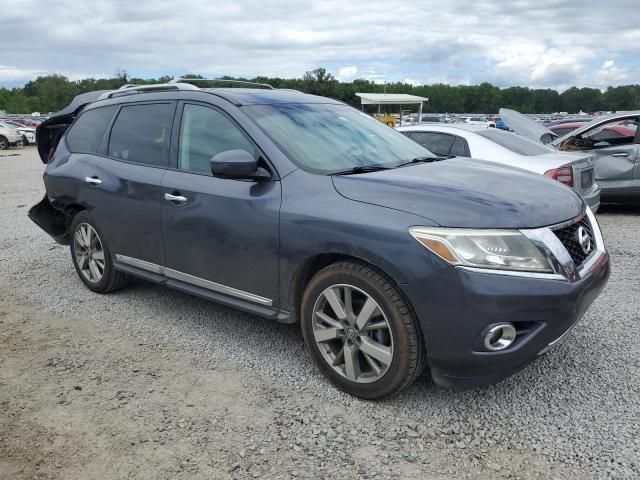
(361, 332)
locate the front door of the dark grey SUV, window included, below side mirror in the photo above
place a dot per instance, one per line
(219, 234)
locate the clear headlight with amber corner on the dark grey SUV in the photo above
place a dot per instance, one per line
(499, 249)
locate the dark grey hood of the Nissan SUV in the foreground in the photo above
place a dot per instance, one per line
(466, 193)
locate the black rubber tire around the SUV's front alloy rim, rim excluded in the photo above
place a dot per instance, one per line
(397, 371)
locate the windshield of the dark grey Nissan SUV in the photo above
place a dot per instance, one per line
(325, 138)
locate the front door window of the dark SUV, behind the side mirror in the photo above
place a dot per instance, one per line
(205, 132)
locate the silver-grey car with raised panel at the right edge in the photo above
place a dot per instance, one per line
(612, 140)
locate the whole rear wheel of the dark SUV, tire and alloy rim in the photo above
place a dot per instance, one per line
(92, 258)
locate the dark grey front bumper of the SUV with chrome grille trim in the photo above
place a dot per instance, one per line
(458, 305)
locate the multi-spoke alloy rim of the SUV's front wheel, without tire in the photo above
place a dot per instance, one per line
(352, 333)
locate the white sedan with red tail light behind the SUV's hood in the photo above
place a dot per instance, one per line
(574, 170)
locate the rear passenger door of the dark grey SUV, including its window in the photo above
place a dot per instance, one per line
(122, 185)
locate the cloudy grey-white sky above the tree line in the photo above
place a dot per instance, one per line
(539, 44)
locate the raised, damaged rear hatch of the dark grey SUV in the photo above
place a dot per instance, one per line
(49, 132)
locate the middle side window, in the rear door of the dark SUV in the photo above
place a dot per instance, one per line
(141, 134)
